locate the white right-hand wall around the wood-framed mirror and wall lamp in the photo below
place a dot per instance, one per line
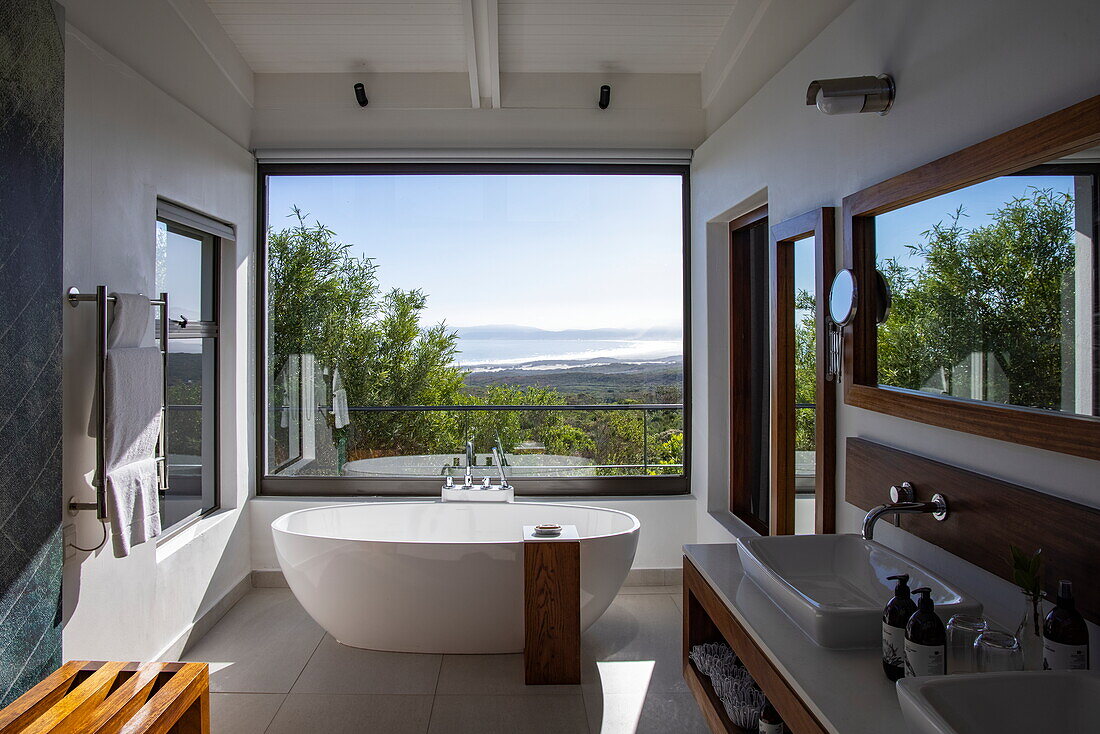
(964, 72)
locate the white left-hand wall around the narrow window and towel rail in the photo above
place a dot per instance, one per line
(127, 143)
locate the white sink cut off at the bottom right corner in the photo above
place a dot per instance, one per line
(1003, 703)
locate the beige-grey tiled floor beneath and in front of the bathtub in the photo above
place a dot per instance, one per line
(276, 671)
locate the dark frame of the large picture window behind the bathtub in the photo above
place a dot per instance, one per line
(273, 486)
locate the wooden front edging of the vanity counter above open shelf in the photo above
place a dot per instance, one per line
(707, 616)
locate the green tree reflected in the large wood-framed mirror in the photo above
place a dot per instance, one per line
(985, 313)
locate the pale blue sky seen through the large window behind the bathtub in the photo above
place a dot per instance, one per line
(547, 251)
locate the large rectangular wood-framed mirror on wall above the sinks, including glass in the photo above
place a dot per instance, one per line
(993, 260)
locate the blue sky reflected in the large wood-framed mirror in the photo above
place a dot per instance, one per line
(897, 229)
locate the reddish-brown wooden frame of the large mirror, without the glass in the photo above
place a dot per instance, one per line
(1066, 132)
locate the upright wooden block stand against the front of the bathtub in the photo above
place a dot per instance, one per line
(552, 612)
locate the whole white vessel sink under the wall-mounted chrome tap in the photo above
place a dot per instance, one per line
(834, 587)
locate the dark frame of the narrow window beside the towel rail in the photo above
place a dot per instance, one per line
(193, 224)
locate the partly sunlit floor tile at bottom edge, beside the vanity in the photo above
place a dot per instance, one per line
(656, 714)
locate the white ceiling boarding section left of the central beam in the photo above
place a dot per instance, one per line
(320, 37)
